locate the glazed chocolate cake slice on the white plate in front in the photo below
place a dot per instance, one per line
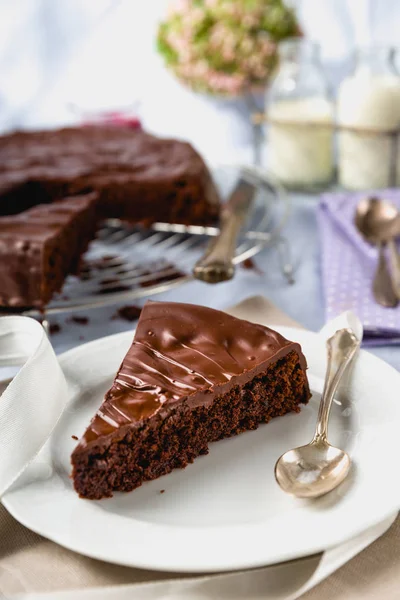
(192, 376)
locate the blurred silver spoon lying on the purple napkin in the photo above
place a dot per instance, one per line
(379, 222)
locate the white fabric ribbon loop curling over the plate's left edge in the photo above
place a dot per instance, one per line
(33, 401)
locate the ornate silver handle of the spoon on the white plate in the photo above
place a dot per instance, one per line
(341, 347)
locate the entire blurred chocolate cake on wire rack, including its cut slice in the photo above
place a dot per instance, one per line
(135, 177)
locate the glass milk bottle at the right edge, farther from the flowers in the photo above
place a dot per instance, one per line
(368, 113)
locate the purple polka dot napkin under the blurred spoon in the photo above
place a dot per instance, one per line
(348, 267)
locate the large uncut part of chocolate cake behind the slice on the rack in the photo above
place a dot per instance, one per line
(138, 177)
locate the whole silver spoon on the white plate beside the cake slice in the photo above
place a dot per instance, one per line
(317, 468)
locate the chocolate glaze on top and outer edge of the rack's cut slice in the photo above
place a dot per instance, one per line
(24, 241)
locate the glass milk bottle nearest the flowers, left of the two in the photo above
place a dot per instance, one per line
(300, 118)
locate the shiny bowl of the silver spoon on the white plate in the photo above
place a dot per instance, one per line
(312, 470)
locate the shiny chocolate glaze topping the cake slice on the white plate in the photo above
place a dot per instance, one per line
(184, 352)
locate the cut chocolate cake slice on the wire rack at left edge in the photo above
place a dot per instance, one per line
(41, 246)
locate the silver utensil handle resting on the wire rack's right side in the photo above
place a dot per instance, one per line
(217, 263)
